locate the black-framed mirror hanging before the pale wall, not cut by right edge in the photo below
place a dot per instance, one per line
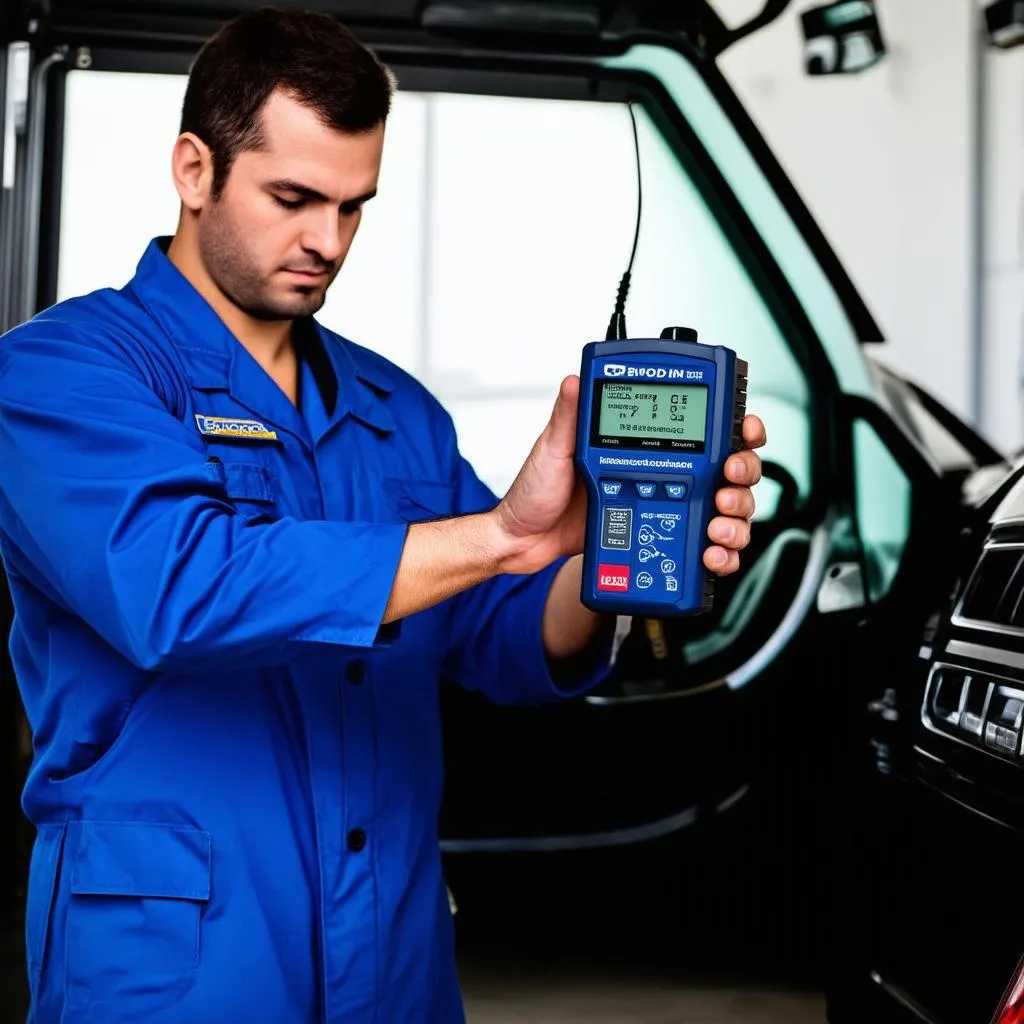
(842, 38)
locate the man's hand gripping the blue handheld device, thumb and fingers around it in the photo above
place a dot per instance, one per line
(543, 517)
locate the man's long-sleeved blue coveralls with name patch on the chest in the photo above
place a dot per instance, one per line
(238, 771)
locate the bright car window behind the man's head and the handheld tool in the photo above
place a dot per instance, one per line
(491, 257)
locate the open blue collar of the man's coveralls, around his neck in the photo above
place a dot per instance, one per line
(216, 360)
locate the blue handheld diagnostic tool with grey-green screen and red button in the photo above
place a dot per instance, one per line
(658, 418)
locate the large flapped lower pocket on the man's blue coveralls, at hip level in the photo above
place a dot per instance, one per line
(138, 891)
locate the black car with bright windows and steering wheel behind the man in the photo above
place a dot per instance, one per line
(796, 748)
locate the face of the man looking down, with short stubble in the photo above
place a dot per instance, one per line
(281, 230)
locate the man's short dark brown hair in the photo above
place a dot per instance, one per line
(309, 56)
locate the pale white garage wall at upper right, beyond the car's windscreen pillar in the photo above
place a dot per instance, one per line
(886, 161)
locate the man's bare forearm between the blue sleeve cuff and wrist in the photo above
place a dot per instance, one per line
(444, 559)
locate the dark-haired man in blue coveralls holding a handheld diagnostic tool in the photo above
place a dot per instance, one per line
(243, 551)
